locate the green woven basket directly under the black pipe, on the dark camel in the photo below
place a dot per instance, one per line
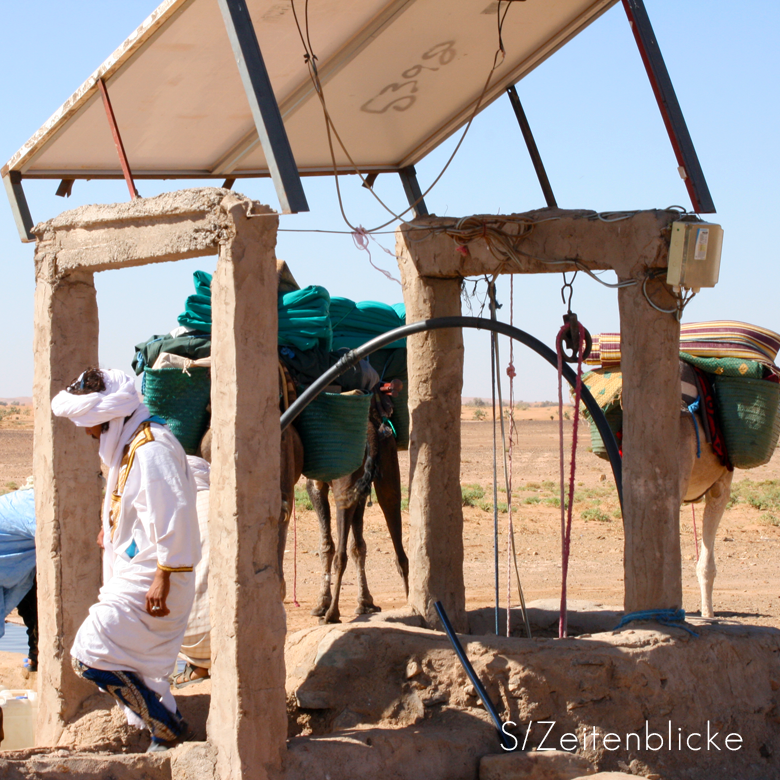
(333, 431)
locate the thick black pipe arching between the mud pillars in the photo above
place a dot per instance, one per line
(352, 357)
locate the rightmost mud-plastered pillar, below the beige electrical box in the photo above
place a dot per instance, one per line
(649, 343)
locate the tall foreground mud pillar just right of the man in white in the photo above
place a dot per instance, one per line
(247, 720)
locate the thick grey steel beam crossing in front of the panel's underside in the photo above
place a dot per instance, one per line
(265, 109)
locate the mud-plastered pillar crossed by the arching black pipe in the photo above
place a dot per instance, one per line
(435, 365)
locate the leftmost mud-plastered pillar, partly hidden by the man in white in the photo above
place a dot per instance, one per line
(66, 470)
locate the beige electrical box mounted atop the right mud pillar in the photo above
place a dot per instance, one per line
(694, 255)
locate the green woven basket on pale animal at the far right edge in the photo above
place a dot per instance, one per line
(747, 410)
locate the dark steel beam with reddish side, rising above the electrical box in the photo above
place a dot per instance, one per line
(653, 60)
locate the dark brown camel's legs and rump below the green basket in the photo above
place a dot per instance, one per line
(380, 467)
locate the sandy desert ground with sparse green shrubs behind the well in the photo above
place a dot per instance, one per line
(747, 587)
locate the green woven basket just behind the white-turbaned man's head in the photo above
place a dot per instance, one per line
(182, 400)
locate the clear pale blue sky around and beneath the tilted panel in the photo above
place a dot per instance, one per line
(596, 124)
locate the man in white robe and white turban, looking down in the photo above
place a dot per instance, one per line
(129, 642)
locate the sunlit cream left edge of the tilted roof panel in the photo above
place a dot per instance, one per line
(144, 33)
